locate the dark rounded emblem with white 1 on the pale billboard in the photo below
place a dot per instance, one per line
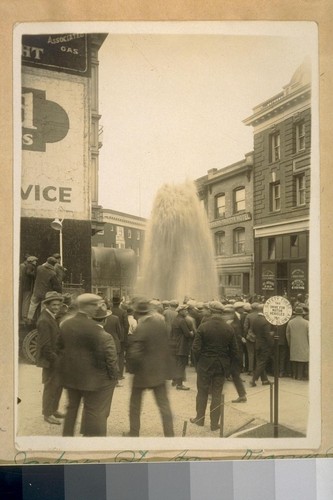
(43, 121)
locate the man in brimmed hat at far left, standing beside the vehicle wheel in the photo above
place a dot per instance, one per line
(47, 356)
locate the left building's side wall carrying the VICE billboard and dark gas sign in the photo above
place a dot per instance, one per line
(59, 158)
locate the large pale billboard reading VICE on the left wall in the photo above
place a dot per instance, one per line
(54, 174)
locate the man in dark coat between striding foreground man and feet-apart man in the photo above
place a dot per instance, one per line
(181, 341)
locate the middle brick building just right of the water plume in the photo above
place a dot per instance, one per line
(227, 196)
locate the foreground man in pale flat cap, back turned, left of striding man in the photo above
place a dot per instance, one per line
(88, 369)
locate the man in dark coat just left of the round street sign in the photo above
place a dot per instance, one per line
(264, 346)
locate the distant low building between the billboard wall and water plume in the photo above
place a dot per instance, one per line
(117, 251)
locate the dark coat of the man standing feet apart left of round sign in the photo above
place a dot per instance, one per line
(214, 341)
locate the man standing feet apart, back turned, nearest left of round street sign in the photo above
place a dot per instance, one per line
(214, 347)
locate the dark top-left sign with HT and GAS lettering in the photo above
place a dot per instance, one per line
(67, 52)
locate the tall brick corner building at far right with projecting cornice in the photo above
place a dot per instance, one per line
(281, 183)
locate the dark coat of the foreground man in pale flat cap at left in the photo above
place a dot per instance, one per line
(89, 356)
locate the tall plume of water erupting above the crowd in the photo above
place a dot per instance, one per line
(178, 256)
